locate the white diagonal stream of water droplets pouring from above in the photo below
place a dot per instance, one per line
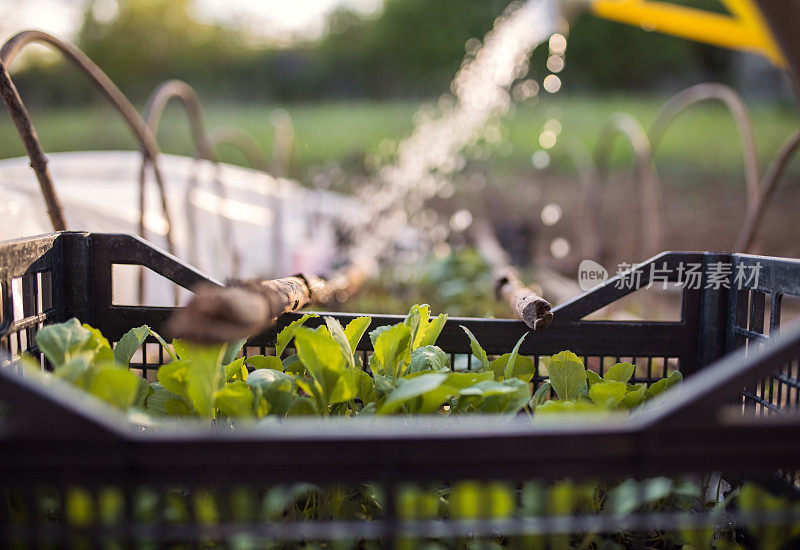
(482, 91)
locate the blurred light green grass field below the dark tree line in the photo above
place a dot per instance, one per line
(703, 142)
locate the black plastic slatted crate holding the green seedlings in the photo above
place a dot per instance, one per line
(59, 448)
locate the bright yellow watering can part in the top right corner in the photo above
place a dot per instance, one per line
(743, 29)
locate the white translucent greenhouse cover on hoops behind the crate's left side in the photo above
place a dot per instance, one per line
(278, 227)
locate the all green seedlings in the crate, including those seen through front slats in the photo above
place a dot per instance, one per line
(410, 375)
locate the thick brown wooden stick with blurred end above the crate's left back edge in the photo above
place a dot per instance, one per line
(222, 314)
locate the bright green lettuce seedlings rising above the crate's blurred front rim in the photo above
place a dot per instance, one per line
(325, 377)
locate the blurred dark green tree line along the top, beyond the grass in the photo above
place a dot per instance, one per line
(410, 49)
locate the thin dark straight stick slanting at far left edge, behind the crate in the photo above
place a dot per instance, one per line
(22, 120)
